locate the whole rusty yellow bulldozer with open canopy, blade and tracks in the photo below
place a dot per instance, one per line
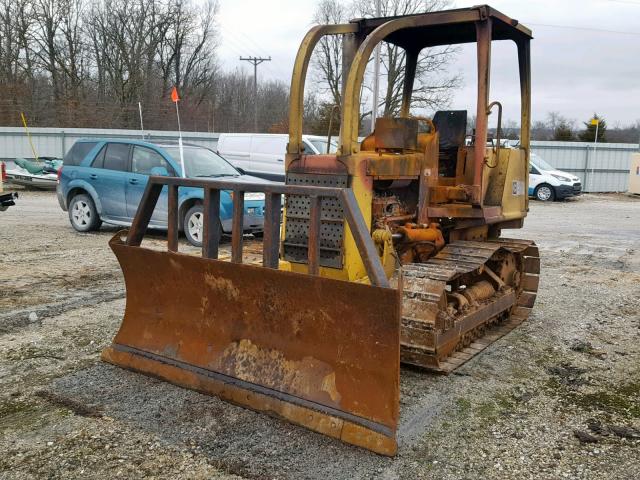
(387, 252)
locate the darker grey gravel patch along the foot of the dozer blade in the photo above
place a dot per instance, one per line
(239, 441)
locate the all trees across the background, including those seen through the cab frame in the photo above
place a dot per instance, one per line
(91, 63)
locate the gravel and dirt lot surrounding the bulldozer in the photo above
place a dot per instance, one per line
(559, 397)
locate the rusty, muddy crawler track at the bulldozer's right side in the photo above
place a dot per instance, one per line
(436, 336)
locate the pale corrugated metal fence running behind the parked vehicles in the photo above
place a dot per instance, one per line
(606, 170)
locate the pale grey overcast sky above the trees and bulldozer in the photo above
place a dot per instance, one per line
(593, 66)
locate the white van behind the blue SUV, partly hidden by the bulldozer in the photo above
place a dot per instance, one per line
(262, 154)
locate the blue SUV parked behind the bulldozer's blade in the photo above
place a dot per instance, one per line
(103, 181)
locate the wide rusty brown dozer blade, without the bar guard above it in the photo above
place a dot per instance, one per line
(321, 353)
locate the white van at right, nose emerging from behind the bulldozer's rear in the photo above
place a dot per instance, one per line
(546, 183)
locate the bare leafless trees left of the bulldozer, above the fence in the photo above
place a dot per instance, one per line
(90, 63)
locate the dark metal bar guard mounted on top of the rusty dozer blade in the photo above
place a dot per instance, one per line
(271, 246)
